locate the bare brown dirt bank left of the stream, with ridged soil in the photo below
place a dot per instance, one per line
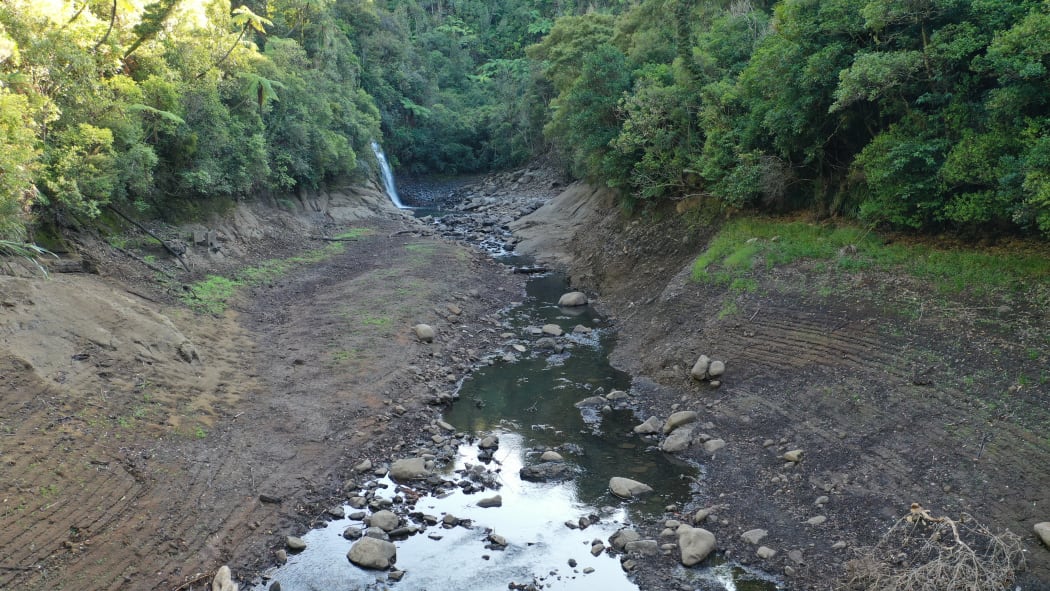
(137, 436)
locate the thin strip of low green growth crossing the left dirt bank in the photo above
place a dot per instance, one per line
(213, 294)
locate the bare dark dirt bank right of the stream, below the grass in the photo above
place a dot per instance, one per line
(897, 394)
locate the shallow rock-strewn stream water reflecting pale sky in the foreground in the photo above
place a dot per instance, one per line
(530, 405)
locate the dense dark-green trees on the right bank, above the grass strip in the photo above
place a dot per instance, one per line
(929, 115)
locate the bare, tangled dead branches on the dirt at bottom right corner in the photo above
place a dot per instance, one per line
(927, 554)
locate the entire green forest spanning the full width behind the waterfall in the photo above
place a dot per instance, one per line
(927, 115)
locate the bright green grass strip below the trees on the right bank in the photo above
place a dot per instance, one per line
(747, 244)
